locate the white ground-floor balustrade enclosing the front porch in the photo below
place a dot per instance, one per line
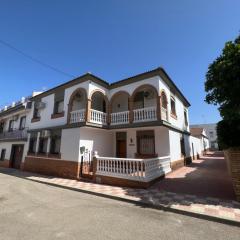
(143, 170)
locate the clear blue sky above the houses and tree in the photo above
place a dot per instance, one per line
(114, 40)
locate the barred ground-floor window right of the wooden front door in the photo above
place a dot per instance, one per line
(146, 142)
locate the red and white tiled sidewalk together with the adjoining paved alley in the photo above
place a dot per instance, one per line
(182, 197)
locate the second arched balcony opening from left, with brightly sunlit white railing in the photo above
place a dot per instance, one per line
(99, 108)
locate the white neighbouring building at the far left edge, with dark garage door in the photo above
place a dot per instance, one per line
(14, 120)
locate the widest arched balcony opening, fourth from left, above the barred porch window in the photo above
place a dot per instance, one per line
(145, 104)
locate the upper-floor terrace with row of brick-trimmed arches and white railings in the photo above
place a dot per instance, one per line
(144, 105)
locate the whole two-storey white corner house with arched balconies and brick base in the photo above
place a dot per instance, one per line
(137, 128)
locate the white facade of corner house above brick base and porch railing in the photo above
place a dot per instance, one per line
(134, 107)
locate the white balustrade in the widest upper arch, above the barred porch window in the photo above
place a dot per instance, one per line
(145, 114)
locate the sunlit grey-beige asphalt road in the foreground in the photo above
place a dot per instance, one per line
(30, 210)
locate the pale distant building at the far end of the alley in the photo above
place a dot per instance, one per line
(211, 132)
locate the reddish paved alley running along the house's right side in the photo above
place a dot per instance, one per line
(206, 177)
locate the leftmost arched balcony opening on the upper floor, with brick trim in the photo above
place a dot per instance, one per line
(77, 106)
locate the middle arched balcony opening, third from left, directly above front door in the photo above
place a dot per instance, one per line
(119, 108)
